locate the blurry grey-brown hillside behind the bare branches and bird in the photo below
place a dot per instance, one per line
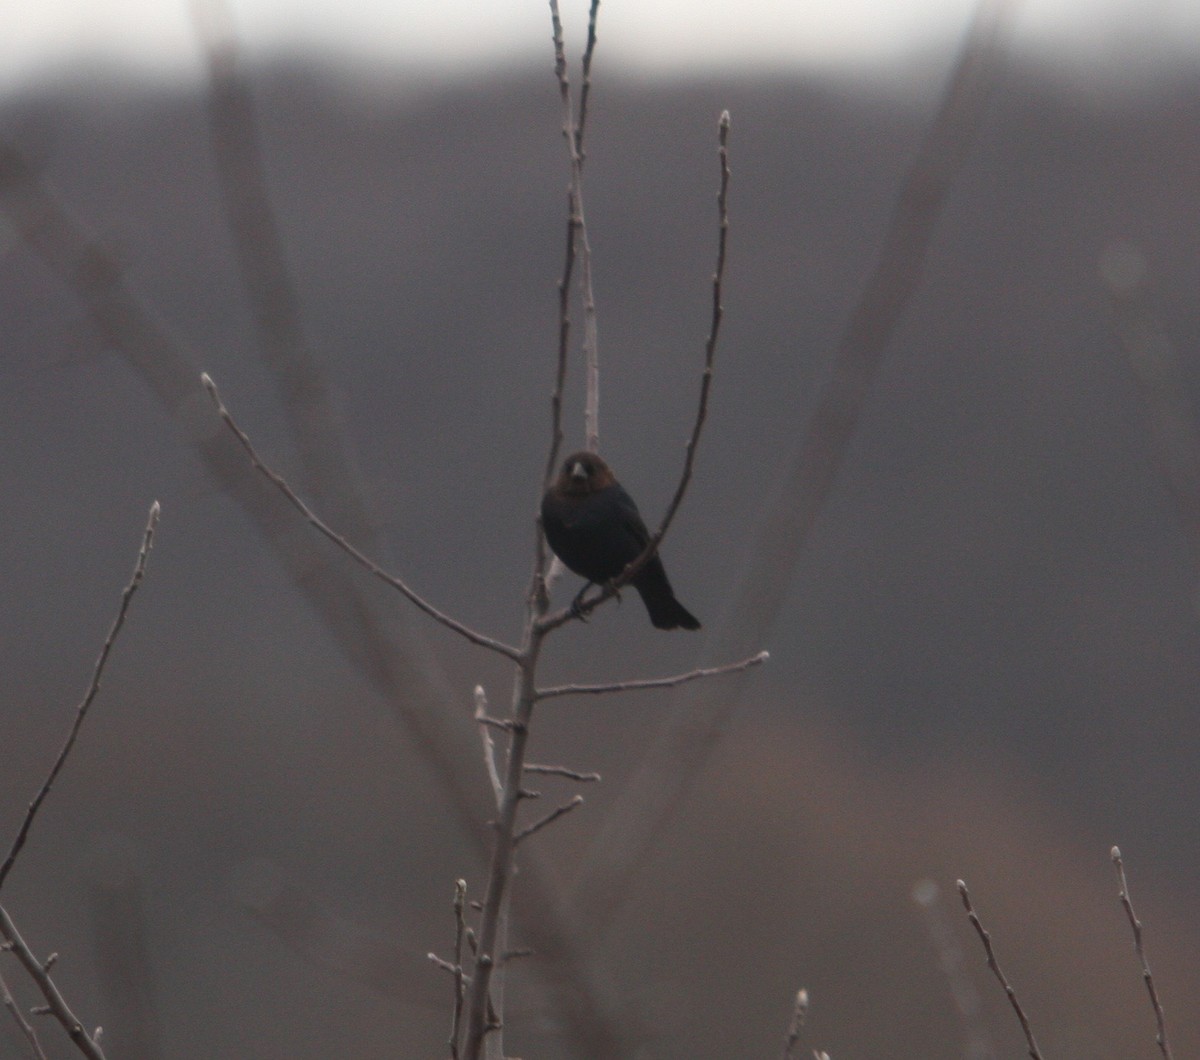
(988, 667)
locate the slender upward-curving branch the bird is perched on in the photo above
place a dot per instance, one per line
(718, 312)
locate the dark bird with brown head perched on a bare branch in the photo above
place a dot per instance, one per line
(595, 528)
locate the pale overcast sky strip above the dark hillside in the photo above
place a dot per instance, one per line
(39, 38)
